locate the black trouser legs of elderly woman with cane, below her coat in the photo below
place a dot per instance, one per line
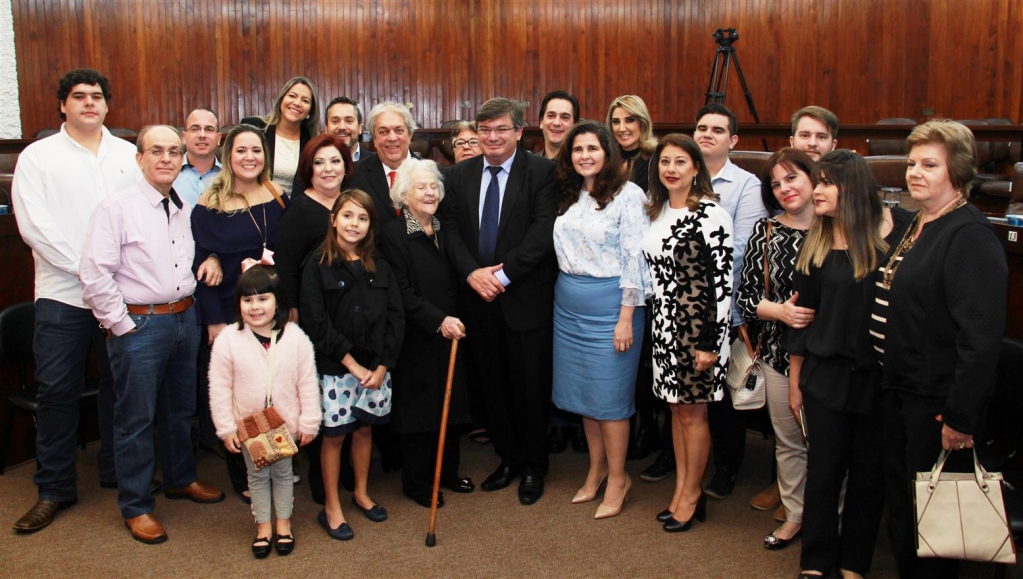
(420, 453)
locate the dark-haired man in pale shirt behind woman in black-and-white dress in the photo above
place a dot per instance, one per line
(740, 192)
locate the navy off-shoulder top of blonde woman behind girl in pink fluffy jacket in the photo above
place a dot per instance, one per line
(234, 237)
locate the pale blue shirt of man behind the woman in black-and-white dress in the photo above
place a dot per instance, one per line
(740, 192)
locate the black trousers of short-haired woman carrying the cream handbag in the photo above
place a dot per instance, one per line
(913, 442)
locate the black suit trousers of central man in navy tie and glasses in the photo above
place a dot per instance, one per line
(515, 369)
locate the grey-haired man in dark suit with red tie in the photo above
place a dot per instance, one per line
(391, 126)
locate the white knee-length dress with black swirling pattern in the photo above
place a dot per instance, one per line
(690, 258)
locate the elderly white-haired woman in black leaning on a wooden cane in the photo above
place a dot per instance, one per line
(415, 247)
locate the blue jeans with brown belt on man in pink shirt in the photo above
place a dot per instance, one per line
(155, 380)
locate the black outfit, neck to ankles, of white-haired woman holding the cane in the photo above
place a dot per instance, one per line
(428, 290)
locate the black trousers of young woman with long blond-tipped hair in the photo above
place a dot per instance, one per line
(842, 443)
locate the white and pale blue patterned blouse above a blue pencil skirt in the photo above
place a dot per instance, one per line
(607, 243)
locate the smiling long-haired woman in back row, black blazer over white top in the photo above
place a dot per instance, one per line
(289, 127)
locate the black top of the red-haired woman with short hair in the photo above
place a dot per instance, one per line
(301, 232)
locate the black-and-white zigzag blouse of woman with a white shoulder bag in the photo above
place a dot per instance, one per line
(785, 244)
